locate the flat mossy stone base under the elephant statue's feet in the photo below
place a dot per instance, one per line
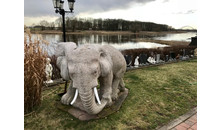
(84, 116)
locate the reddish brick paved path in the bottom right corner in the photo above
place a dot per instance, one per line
(187, 121)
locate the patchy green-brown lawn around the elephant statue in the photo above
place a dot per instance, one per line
(156, 96)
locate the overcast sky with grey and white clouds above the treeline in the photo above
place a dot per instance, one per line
(175, 13)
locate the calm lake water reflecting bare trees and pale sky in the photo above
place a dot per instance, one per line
(120, 42)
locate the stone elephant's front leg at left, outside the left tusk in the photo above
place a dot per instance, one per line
(68, 96)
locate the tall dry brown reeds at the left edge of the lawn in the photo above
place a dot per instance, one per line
(34, 70)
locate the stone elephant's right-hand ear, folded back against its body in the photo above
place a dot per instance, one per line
(105, 62)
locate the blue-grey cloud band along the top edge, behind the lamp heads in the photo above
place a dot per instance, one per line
(38, 8)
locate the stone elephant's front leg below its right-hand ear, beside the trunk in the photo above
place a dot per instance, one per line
(105, 88)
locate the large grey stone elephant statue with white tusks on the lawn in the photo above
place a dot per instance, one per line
(84, 66)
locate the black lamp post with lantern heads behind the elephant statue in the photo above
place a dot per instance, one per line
(58, 5)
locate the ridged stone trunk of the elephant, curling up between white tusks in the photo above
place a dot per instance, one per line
(89, 103)
